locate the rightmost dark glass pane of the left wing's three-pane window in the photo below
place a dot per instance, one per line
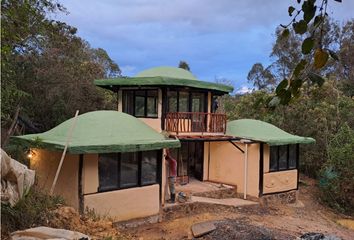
(148, 167)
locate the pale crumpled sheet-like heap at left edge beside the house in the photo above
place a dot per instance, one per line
(16, 179)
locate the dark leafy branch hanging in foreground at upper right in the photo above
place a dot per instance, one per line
(311, 28)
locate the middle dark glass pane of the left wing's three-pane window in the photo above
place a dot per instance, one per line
(129, 170)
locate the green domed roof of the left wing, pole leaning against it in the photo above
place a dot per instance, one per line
(103, 131)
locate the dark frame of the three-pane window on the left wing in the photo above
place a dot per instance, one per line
(139, 181)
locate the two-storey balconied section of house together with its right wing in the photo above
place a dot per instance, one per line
(255, 156)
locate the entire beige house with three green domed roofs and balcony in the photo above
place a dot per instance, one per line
(115, 162)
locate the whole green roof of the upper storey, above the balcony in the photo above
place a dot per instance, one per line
(163, 76)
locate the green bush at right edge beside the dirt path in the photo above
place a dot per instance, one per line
(337, 175)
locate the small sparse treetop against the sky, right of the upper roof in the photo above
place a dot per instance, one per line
(261, 78)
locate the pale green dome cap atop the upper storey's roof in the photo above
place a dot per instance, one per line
(171, 72)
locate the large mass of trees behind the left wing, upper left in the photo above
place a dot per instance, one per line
(46, 69)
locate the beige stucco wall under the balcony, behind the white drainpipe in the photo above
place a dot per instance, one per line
(227, 166)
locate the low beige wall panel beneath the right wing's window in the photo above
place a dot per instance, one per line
(279, 181)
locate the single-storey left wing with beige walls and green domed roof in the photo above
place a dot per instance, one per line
(113, 163)
